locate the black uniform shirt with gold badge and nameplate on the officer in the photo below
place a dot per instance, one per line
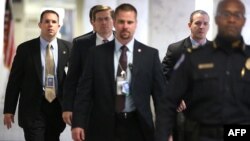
(215, 83)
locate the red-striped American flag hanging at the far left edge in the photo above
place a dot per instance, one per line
(9, 47)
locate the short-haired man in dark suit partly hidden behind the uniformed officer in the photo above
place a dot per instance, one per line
(199, 26)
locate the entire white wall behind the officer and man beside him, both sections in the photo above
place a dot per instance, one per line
(168, 21)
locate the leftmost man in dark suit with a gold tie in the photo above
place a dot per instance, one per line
(31, 82)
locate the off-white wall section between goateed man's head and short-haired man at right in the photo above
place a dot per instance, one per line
(168, 22)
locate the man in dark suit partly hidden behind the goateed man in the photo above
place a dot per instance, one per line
(102, 21)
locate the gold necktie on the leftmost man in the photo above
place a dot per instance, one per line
(50, 93)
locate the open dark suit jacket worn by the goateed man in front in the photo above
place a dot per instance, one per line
(97, 86)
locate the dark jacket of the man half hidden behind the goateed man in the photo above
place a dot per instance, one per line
(79, 53)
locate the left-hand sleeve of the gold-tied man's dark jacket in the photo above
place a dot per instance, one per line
(15, 81)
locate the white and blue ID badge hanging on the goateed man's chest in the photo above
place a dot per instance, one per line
(122, 86)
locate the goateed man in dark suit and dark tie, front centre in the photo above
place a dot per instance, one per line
(98, 113)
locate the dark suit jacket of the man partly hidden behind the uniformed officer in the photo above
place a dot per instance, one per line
(173, 54)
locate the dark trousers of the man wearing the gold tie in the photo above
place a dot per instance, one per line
(48, 124)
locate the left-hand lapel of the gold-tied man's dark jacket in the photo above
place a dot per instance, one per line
(36, 52)
